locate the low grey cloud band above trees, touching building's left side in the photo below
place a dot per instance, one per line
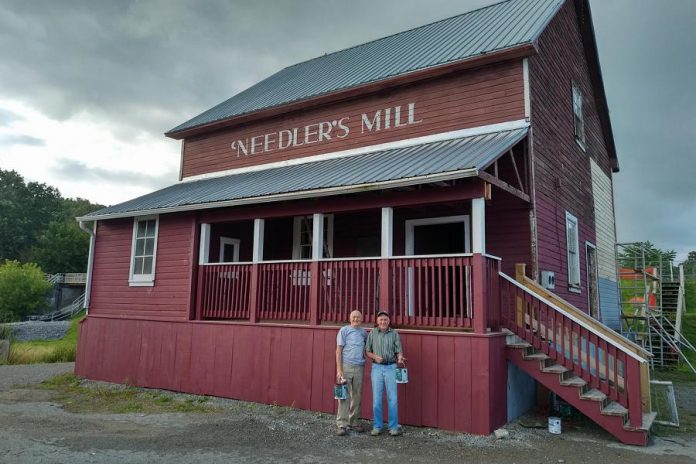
(75, 170)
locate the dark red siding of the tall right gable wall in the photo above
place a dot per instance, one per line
(563, 179)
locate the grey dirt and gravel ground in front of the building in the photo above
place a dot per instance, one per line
(36, 429)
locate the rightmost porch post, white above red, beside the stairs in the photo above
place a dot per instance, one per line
(478, 248)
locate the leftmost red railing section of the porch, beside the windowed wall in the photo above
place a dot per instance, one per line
(223, 291)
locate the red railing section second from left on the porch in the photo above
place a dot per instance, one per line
(283, 290)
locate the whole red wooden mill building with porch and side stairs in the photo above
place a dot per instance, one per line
(411, 174)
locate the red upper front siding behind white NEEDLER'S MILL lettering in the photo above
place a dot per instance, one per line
(487, 95)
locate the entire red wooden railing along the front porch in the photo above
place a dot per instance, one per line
(447, 291)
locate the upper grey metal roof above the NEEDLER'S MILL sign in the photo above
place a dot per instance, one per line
(491, 29)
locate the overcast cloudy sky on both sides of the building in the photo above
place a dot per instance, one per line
(87, 88)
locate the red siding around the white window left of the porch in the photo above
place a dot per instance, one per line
(169, 297)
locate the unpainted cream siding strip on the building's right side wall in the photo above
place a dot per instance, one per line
(605, 227)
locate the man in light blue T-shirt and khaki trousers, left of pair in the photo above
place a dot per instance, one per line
(350, 363)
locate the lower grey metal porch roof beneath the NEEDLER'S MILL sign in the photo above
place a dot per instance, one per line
(370, 170)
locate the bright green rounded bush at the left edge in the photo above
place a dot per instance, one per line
(23, 290)
